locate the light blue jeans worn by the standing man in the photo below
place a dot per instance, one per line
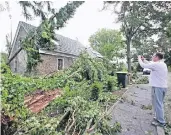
(158, 95)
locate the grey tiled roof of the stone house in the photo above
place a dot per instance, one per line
(65, 44)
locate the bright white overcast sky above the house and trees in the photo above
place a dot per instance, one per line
(87, 20)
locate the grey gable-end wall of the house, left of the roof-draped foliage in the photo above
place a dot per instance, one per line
(18, 64)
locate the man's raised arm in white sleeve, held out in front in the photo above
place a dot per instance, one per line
(149, 65)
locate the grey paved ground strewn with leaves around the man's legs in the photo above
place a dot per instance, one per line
(134, 111)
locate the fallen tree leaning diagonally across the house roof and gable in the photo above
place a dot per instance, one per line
(44, 35)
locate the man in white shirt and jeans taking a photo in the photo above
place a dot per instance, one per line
(158, 81)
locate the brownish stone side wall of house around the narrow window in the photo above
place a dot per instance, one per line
(50, 65)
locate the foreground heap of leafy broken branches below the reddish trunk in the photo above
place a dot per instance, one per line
(81, 117)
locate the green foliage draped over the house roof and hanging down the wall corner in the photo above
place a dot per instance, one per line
(42, 39)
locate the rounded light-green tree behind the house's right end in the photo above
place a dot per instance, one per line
(108, 42)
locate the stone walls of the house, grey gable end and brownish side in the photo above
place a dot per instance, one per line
(49, 64)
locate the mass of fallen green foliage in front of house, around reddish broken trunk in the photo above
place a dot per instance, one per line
(82, 102)
